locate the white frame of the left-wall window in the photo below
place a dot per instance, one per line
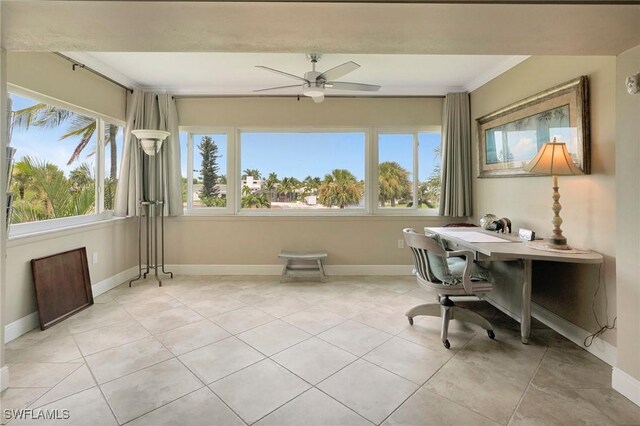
(27, 228)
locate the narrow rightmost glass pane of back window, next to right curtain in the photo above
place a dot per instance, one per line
(429, 170)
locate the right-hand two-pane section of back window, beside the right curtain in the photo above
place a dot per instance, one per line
(408, 170)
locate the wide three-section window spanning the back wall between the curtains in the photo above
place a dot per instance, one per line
(310, 172)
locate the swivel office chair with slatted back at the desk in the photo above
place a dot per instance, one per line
(450, 273)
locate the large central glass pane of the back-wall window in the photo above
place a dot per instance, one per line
(296, 170)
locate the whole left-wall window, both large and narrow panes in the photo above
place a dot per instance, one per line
(60, 168)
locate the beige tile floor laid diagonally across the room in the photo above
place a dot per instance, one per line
(252, 350)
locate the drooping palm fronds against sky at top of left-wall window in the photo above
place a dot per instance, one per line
(47, 116)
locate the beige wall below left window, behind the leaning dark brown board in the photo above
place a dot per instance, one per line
(114, 241)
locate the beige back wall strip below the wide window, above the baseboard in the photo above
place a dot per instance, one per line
(257, 240)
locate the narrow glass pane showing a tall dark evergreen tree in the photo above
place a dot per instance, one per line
(210, 170)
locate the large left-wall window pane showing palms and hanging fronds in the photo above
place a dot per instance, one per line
(54, 172)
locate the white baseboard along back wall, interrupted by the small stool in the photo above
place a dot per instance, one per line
(277, 269)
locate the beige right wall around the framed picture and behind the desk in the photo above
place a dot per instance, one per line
(589, 202)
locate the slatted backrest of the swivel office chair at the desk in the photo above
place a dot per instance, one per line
(429, 257)
